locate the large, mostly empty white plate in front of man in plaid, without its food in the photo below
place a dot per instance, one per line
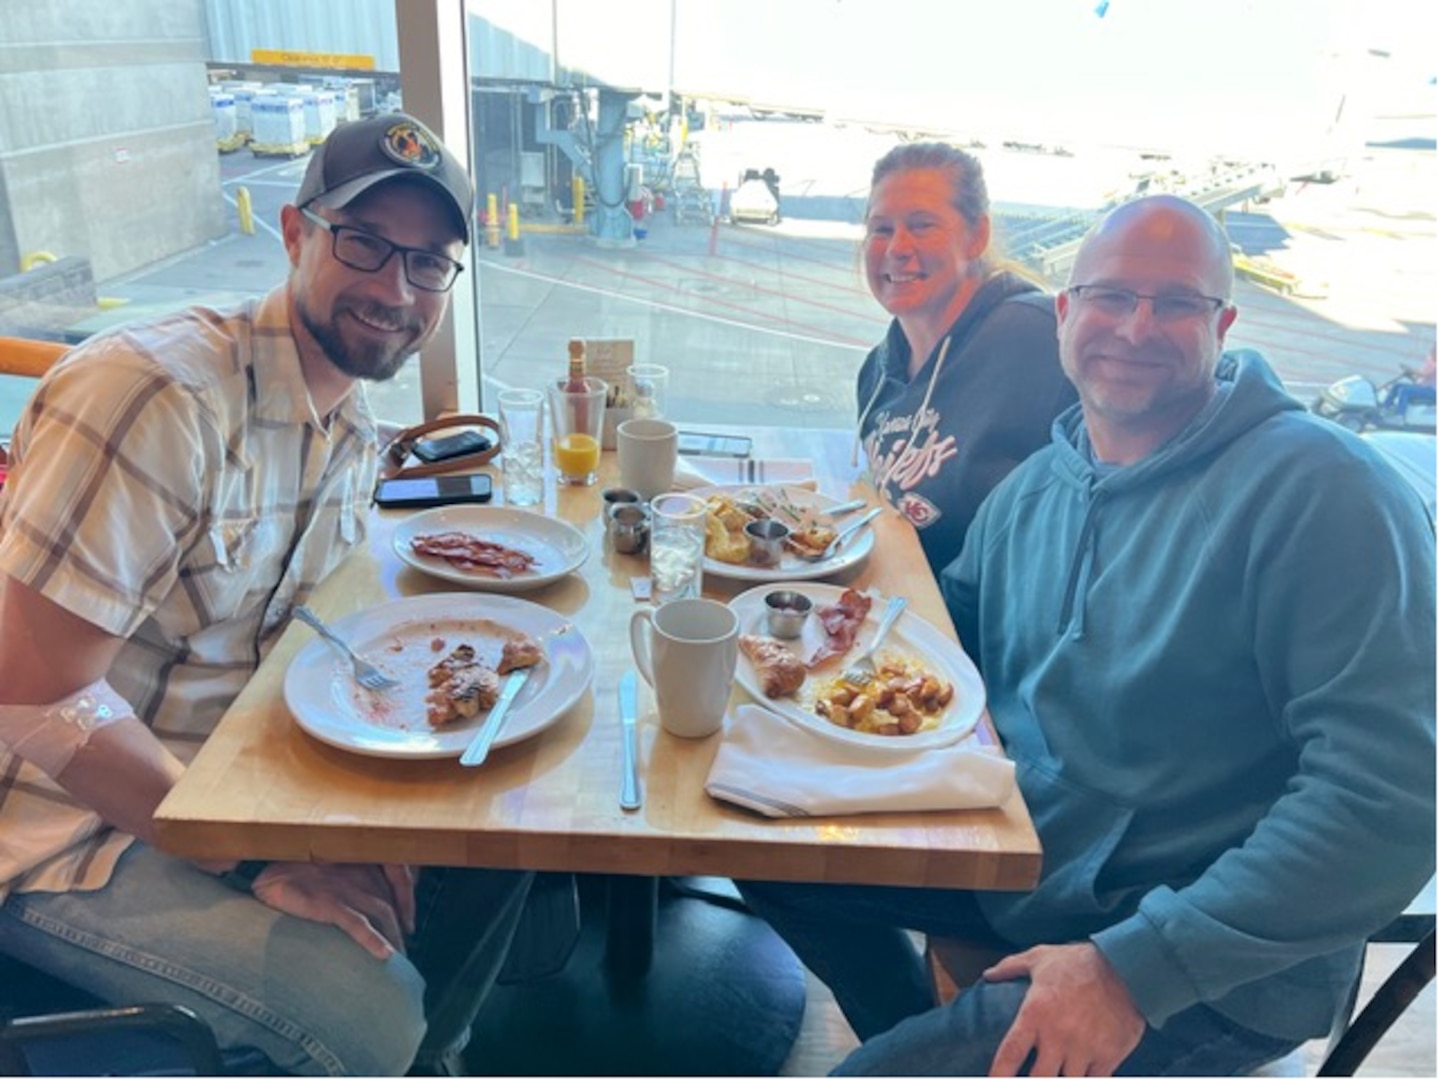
(398, 638)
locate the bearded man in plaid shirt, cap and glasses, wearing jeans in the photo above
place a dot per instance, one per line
(175, 491)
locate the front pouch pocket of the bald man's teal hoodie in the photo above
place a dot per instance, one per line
(1080, 830)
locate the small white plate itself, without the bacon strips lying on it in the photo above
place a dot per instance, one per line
(559, 549)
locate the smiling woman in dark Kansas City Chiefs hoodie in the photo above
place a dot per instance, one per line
(968, 380)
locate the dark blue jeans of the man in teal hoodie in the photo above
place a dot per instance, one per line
(854, 940)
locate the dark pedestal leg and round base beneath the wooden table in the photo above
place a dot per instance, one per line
(660, 984)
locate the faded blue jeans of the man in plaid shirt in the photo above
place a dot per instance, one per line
(301, 993)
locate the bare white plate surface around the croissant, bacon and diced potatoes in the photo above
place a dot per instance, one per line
(912, 636)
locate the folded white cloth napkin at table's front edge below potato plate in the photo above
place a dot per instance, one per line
(776, 769)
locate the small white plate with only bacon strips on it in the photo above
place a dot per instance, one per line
(490, 547)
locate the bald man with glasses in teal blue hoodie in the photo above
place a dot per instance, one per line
(1207, 625)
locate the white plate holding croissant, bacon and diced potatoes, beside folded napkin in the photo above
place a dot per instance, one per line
(926, 692)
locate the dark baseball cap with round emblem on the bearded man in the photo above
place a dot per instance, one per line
(360, 155)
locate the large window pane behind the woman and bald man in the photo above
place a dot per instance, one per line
(1294, 122)
